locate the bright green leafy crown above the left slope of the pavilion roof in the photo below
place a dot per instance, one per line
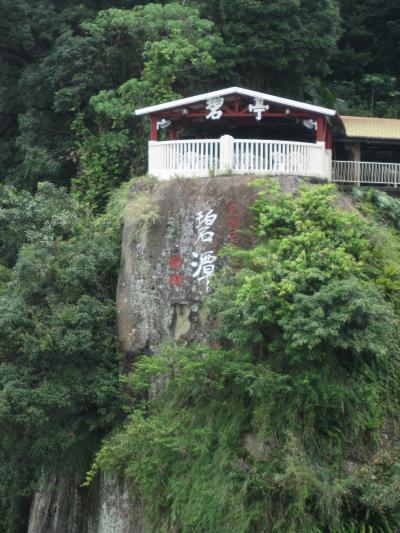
(173, 45)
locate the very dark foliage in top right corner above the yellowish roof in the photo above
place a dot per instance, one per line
(365, 73)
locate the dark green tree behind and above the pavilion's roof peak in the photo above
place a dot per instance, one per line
(277, 45)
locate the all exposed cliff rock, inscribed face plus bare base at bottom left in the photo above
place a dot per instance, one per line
(171, 239)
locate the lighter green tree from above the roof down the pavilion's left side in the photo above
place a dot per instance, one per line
(173, 50)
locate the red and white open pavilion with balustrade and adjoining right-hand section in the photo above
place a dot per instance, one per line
(238, 130)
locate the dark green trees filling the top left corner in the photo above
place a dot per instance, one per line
(49, 70)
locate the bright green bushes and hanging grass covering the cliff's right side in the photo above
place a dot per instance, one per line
(289, 422)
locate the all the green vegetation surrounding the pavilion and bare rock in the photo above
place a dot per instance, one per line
(307, 365)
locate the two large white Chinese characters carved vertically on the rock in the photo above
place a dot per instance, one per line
(203, 262)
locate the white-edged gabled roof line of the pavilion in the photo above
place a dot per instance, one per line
(293, 104)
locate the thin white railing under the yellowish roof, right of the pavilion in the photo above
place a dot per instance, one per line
(366, 172)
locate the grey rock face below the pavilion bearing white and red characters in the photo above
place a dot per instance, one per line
(163, 281)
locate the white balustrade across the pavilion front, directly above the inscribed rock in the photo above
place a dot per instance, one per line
(207, 157)
